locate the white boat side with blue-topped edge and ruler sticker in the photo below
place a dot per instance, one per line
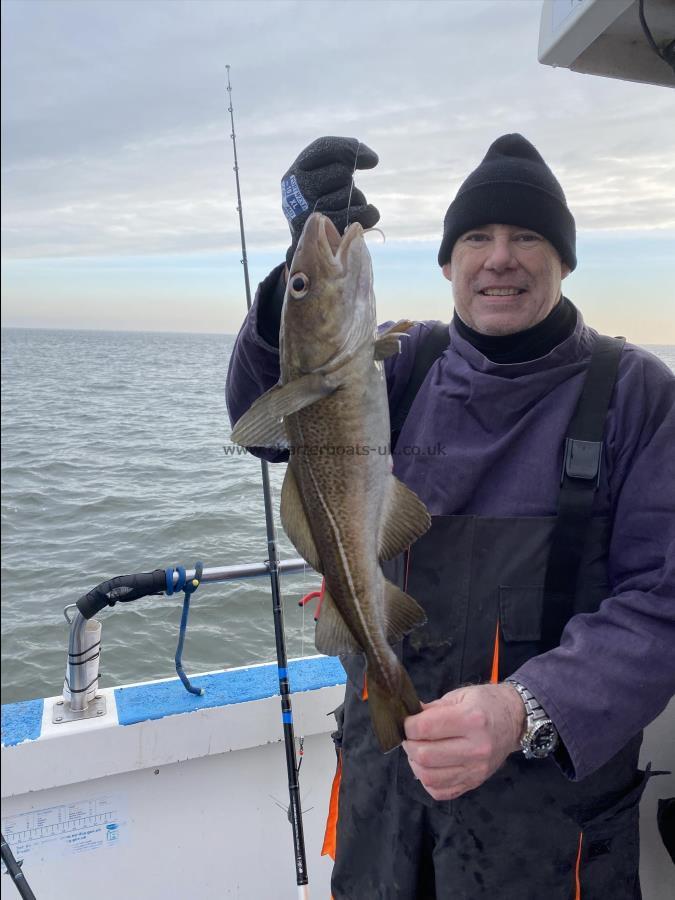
(169, 797)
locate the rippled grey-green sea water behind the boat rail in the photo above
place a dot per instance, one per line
(113, 462)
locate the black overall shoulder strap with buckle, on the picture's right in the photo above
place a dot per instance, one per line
(582, 459)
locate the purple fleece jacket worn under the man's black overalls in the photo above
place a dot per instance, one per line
(500, 429)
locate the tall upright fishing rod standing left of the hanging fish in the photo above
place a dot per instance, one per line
(294, 810)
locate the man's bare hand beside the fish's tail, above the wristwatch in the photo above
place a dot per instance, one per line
(458, 741)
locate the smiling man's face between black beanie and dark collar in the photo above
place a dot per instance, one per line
(504, 279)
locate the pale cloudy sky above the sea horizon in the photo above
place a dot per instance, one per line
(118, 193)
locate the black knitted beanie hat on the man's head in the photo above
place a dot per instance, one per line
(512, 186)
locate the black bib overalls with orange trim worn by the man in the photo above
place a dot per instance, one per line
(528, 832)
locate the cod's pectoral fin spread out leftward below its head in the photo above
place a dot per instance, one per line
(262, 425)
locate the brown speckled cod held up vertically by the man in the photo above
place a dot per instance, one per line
(341, 506)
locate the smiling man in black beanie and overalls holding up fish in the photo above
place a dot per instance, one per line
(526, 788)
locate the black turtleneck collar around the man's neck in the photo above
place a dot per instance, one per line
(523, 346)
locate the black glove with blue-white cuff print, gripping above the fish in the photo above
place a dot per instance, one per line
(320, 180)
